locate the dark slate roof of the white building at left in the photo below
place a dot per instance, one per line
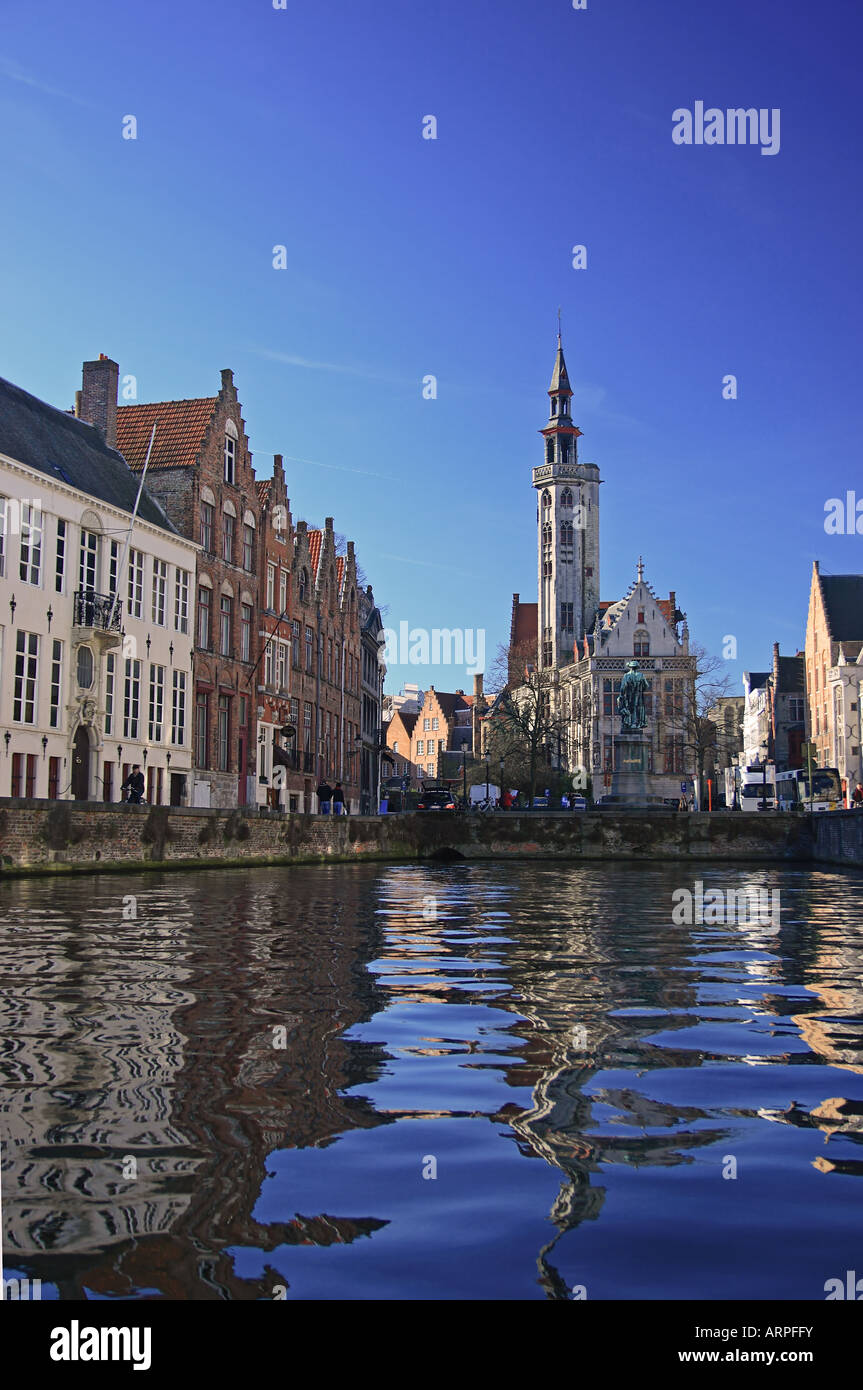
(70, 451)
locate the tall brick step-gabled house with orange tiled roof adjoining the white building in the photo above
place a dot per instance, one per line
(201, 472)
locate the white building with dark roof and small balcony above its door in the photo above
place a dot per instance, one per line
(95, 618)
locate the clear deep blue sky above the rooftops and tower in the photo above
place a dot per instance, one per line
(450, 258)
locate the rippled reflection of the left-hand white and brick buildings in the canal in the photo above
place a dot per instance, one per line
(166, 1054)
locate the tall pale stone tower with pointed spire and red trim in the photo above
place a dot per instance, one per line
(568, 523)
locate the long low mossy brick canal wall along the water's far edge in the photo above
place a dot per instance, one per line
(67, 837)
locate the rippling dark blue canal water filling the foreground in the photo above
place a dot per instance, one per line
(452, 1082)
